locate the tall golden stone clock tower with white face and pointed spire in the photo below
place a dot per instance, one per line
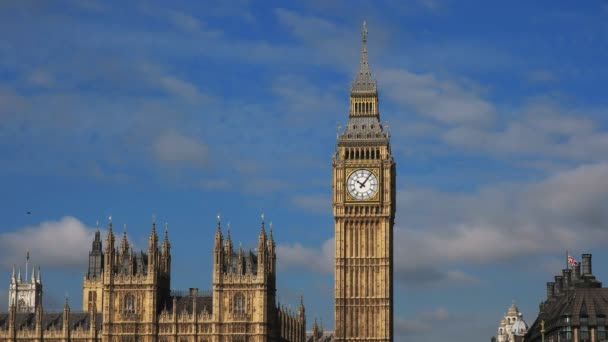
(364, 212)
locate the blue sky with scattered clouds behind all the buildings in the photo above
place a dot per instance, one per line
(183, 110)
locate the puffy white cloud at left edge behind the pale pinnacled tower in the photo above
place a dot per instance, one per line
(51, 243)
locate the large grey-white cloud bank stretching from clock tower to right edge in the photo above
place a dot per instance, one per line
(565, 211)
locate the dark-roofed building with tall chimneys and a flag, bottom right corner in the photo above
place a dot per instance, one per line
(575, 309)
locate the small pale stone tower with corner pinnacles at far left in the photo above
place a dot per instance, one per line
(26, 294)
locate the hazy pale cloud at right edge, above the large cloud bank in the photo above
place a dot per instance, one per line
(541, 129)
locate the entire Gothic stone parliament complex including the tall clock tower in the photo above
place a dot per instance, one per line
(127, 295)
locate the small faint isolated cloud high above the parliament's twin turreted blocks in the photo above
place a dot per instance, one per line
(173, 147)
